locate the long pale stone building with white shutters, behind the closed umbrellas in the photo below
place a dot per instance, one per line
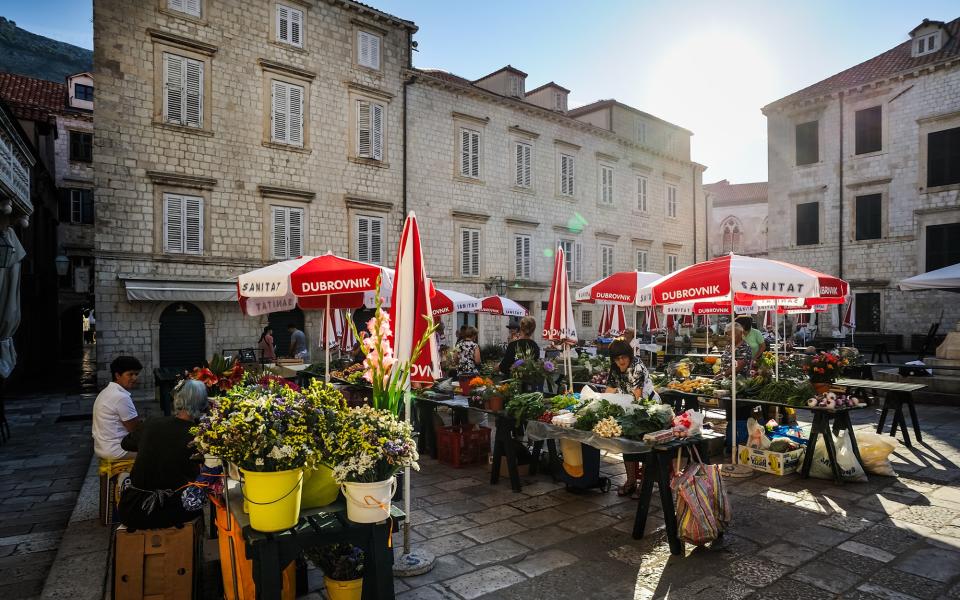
(499, 177)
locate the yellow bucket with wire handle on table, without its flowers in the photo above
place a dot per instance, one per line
(273, 498)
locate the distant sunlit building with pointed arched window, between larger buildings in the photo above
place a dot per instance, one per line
(736, 218)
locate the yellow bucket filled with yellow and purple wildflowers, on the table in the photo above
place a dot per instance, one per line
(270, 433)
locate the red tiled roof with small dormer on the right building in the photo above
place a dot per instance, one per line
(892, 62)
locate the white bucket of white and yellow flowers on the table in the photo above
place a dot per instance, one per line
(369, 447)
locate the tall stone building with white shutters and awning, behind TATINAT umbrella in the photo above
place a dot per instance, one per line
(227, 138)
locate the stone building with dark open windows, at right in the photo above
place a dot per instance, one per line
(864, 178)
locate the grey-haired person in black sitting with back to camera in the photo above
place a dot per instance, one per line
(164, 468)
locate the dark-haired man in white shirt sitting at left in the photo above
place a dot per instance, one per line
(114, 415)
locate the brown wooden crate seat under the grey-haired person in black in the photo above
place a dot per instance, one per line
(159, 564)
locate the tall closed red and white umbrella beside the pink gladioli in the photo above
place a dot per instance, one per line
(410, 318)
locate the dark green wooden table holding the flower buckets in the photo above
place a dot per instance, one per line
(270, 553)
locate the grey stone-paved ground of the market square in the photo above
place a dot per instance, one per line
(791, 538)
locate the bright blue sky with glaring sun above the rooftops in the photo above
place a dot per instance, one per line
(706, 65)
